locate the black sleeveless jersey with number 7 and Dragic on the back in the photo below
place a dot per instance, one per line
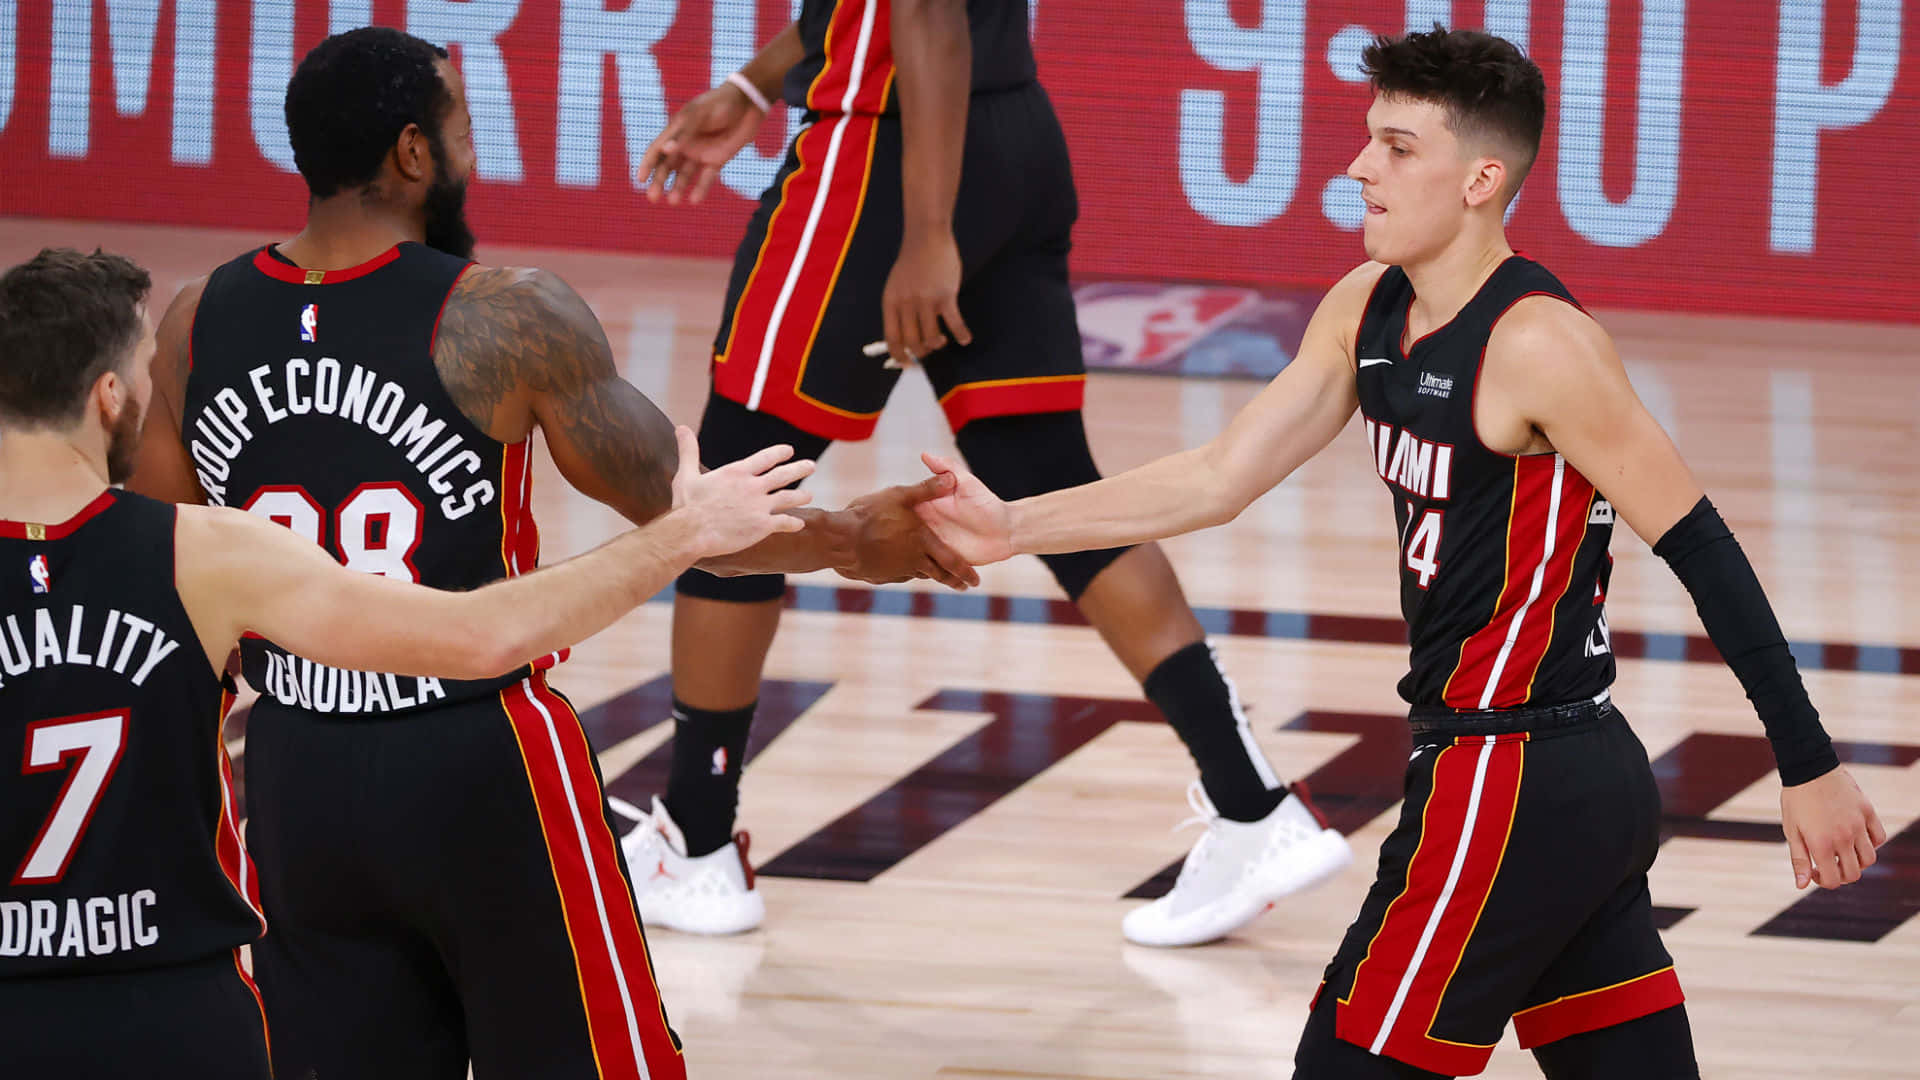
(118, 829)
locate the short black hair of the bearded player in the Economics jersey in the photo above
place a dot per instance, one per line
(350, 101)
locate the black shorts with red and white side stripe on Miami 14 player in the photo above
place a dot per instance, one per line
(1514, 887)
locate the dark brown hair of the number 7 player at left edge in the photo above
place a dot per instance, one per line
(66, 320)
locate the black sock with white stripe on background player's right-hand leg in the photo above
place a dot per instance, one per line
(1203, 708)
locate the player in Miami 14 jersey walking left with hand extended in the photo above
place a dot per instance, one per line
(1500, 418)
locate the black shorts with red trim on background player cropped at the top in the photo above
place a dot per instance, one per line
(805, 297)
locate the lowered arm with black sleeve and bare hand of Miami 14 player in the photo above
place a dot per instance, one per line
(1552, 370)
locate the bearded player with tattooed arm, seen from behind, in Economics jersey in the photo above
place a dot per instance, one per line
(448, 887)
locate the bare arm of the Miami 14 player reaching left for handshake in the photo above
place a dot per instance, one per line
(1276, 433)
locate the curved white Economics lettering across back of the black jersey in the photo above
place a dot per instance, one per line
(362, 397)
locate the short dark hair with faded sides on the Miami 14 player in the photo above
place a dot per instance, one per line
(1489, 87)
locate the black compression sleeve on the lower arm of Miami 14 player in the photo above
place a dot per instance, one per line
(1742, 626)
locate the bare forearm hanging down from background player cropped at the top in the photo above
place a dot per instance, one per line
(934, 76)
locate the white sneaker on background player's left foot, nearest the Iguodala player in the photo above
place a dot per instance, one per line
(711, 895)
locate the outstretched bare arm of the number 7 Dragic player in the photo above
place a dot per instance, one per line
(239, 574)
